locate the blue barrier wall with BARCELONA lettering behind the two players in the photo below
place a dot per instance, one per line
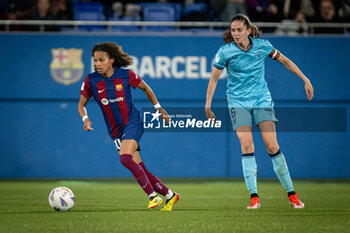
(42, 135)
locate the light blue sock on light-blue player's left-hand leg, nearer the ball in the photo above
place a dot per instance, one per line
(249, 172)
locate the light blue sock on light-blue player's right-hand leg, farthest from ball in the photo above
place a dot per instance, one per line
(281, 169)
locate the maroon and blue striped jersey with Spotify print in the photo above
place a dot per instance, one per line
(113, 95)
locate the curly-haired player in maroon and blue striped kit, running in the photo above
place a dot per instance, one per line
(110, 85)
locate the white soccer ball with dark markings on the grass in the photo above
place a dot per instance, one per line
(61, 199)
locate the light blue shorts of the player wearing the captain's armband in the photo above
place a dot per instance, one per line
(244, 112)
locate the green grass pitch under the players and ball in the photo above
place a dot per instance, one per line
(204, 206)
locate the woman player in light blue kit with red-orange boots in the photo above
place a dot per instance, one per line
(249, 99)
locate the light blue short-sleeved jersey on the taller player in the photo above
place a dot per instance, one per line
(245, 70)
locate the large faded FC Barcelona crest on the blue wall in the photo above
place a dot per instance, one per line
(66, 66)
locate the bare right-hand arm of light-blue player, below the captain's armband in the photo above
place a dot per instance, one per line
(294, 69)
